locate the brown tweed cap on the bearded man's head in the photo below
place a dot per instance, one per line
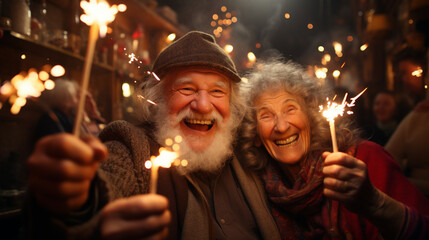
(195, 49)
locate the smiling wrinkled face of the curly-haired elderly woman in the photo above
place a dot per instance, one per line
(283, 126)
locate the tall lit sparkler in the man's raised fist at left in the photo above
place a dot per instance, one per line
(97, 15)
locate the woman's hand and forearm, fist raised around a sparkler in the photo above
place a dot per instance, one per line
(346, 180)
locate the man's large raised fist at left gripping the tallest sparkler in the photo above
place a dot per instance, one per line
(61, 169)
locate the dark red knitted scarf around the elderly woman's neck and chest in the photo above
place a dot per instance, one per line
(301, 211)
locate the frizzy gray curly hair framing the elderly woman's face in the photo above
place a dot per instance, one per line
(277, 74)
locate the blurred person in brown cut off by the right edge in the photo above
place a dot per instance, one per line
(409, 145)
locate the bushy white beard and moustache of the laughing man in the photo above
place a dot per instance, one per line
(211, 158)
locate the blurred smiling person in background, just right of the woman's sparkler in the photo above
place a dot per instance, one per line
(384, 120)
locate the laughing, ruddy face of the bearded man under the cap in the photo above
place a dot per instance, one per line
(201, 97)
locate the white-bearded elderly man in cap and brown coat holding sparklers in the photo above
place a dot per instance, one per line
(212, 197)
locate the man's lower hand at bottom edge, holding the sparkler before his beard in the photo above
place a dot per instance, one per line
(137, 217)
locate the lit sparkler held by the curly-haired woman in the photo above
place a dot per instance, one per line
(334, 110)
